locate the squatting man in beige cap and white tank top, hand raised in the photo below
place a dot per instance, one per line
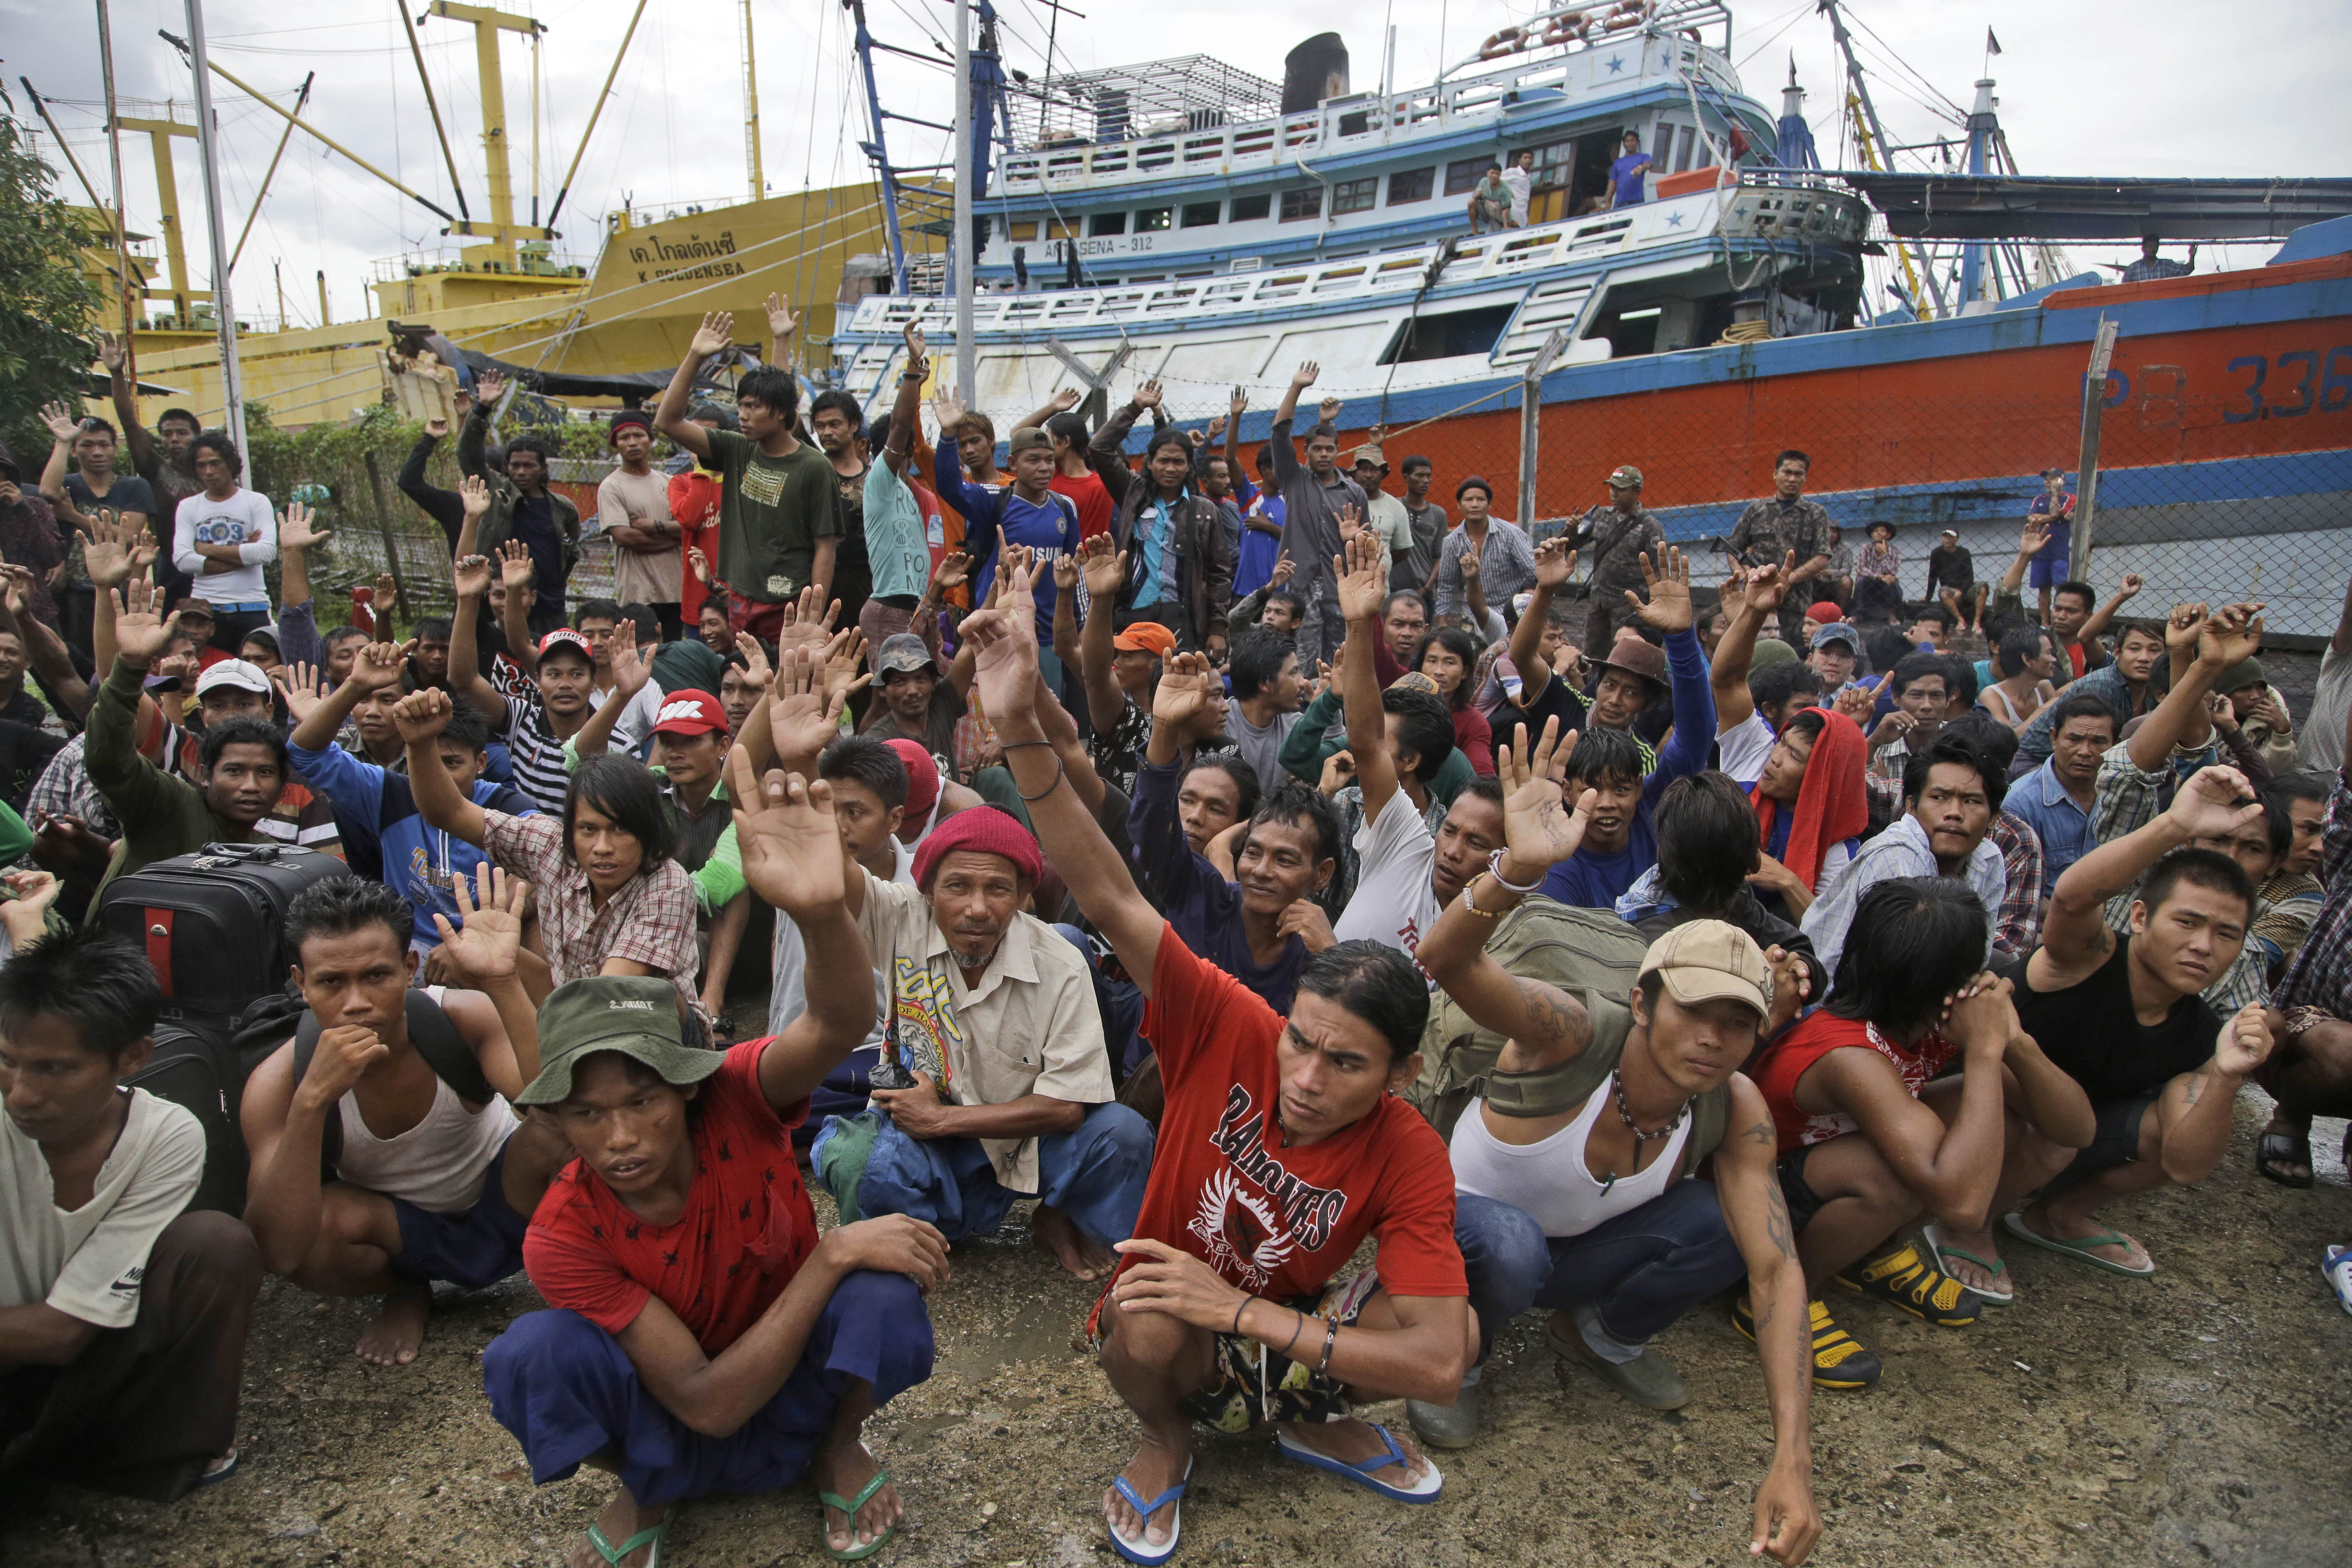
(1575, 1170)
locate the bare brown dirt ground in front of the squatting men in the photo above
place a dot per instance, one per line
(2193, 1419)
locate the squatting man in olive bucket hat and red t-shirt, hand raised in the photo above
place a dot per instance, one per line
(702, 1336)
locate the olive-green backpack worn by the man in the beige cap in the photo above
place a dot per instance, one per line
(1596, 958)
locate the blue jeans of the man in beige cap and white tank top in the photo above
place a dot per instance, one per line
(1624, 1280)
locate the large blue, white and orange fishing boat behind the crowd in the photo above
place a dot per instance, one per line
(1191, 225)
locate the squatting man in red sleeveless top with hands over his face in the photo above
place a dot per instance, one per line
(1869, 1141)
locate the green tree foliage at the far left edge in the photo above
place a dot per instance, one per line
(48, 304)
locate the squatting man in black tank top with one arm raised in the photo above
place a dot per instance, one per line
(2123, 1014)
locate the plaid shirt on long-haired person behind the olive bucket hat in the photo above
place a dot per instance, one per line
(650, 920)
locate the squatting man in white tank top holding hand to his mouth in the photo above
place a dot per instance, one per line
(385, 1153)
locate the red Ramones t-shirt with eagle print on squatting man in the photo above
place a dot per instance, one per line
(1281, 1221)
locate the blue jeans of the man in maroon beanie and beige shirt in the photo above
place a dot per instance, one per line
(1095, 1177)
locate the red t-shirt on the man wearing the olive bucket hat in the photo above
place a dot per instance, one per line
(733, 1252)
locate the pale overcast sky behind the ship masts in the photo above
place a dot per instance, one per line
(2087, 88)
